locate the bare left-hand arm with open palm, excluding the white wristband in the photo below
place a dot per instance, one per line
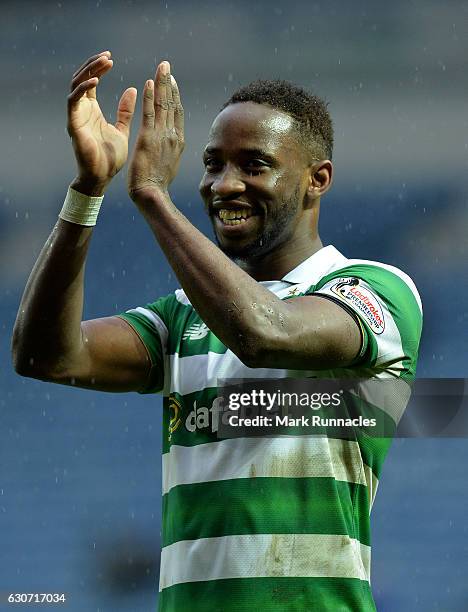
(49, 340)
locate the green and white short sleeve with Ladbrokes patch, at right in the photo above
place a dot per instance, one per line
(388, 307)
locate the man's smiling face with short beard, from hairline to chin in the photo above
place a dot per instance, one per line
(256, 180)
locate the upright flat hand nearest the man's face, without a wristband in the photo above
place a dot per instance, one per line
(160, 140)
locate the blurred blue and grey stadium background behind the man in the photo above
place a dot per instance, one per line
(80, 471)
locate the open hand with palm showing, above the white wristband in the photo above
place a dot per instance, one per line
(101, 149)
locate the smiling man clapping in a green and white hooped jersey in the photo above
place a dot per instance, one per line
(266, 523)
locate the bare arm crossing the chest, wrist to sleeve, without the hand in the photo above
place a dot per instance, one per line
(262, 330)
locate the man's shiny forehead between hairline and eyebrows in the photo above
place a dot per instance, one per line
(247, 125)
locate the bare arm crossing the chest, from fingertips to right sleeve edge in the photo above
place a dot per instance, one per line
(261, 329)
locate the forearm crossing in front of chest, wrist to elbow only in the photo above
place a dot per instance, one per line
(238, 309)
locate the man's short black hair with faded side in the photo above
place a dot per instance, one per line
(310, 112)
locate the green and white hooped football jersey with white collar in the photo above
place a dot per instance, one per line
(271, 523)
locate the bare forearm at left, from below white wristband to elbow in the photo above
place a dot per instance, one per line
(47, 331)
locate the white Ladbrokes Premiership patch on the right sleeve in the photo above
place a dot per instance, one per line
(362, 300)
